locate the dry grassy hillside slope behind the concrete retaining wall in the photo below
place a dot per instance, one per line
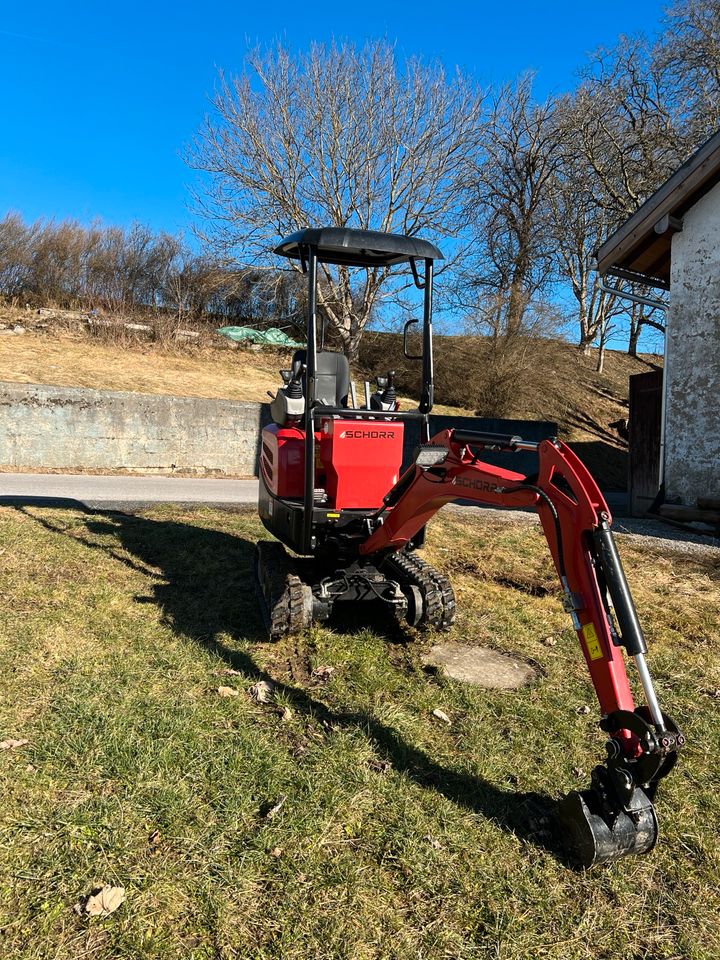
(553, 381)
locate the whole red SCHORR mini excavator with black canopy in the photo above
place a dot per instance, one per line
(331, 490)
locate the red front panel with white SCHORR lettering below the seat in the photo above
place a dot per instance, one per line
(361, 460)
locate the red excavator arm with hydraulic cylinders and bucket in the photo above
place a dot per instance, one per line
(615, 816)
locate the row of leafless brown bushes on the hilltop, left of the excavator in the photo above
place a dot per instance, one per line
(136, 270)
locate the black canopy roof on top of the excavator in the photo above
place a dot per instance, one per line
(361, 248)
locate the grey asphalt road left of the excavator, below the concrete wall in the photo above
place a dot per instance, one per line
(124, 492)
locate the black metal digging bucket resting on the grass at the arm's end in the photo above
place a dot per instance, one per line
(593, 835)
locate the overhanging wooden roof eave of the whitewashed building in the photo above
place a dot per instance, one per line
(641, 246)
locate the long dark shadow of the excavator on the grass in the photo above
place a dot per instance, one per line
(201, 581)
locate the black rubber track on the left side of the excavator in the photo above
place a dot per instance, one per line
(281, 592)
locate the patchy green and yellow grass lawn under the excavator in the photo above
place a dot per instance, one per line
(399, 836)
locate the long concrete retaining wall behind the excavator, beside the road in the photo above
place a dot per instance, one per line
(69, 427)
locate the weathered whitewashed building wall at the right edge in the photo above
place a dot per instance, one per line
(692, 434)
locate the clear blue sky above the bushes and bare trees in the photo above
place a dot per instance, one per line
(97, 100)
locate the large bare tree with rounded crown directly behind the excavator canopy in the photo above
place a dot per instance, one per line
(338, 136)
